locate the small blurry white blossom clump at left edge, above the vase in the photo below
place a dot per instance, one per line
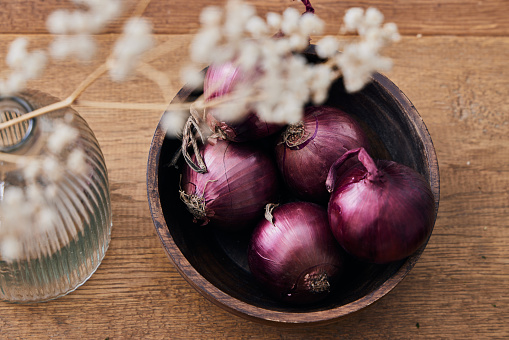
(24, 65)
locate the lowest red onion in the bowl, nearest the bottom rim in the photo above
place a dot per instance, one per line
(294, 253)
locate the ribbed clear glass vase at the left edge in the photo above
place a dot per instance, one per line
(53, 257)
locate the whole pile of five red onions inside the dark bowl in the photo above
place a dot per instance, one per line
(378, 211)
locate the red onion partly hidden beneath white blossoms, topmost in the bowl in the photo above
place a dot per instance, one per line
(221, 80)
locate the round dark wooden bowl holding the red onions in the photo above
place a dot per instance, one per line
(215, 263)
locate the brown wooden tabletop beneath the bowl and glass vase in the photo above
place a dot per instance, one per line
(452, 63)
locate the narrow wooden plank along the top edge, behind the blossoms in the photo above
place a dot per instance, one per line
(448, 17)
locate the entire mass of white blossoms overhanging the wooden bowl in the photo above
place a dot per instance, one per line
(271, 49)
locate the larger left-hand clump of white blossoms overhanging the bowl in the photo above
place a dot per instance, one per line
(283, 81)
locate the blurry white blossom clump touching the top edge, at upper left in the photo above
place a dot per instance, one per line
(73, 30)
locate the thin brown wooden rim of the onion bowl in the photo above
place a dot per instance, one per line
(248, 311)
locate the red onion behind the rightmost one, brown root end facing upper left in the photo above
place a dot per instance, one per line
(308, 149)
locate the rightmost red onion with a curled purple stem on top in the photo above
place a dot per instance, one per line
(379, 212)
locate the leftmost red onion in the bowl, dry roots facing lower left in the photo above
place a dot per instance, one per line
(240, 181)
